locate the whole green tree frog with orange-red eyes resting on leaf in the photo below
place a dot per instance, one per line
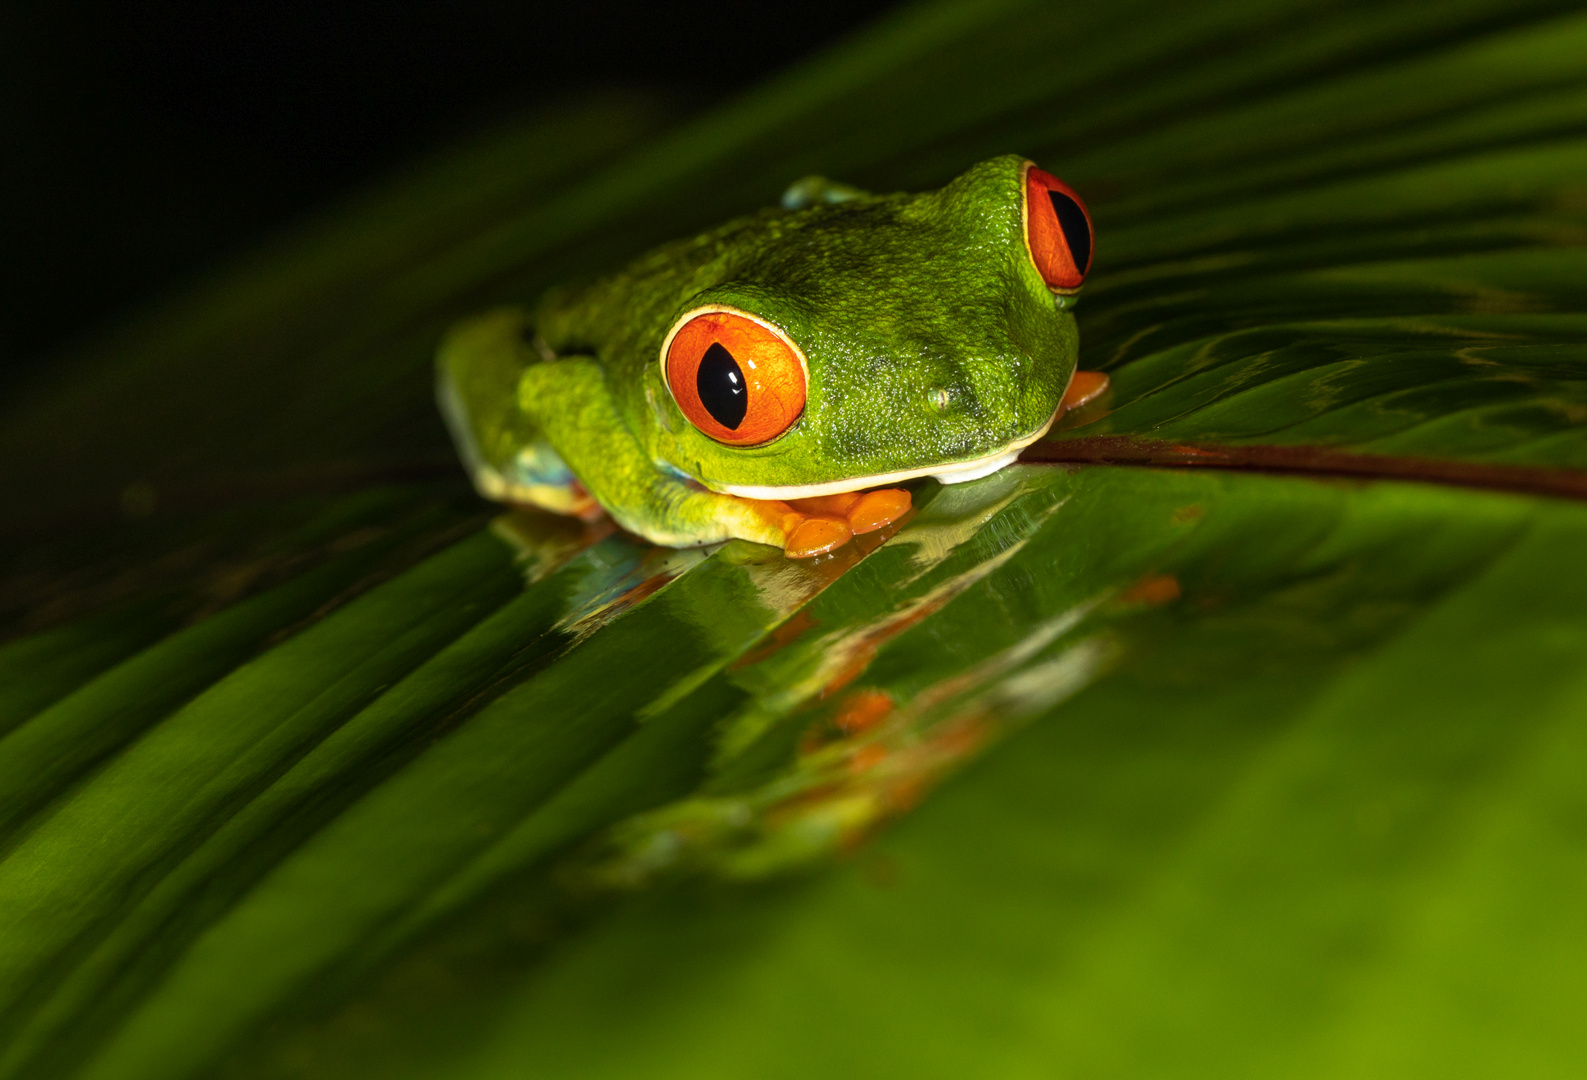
(777, 378)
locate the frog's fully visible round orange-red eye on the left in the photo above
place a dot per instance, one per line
(737, 380)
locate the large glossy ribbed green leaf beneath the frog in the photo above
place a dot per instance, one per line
(1089, 768)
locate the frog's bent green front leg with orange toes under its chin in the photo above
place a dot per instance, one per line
(571, 404)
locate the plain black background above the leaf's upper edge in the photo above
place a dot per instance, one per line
(145, 140)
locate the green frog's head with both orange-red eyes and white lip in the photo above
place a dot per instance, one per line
(880, 339)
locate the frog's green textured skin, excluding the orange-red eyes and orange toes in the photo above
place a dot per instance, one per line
(894, 301)
